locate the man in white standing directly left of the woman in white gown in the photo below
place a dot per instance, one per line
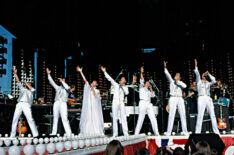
(60, 104)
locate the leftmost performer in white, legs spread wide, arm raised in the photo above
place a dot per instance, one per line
(25, 101)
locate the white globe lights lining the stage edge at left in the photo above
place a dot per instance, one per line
(59, 143)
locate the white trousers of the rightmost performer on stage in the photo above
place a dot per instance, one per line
(203, 103)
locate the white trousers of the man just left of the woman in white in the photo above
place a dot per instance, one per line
(60, 108)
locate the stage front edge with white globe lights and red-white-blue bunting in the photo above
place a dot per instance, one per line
(96, 145)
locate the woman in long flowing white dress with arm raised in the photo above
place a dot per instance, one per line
(91, 121)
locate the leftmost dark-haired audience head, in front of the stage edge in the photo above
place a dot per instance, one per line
(114, 148)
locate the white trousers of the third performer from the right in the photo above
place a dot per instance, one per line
(146, 107)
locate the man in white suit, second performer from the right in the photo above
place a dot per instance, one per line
(176, 100)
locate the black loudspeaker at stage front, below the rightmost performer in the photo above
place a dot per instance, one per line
(213, 140)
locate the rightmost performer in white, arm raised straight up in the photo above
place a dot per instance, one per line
(204, 99)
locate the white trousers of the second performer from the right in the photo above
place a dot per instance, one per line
(175, 102)
